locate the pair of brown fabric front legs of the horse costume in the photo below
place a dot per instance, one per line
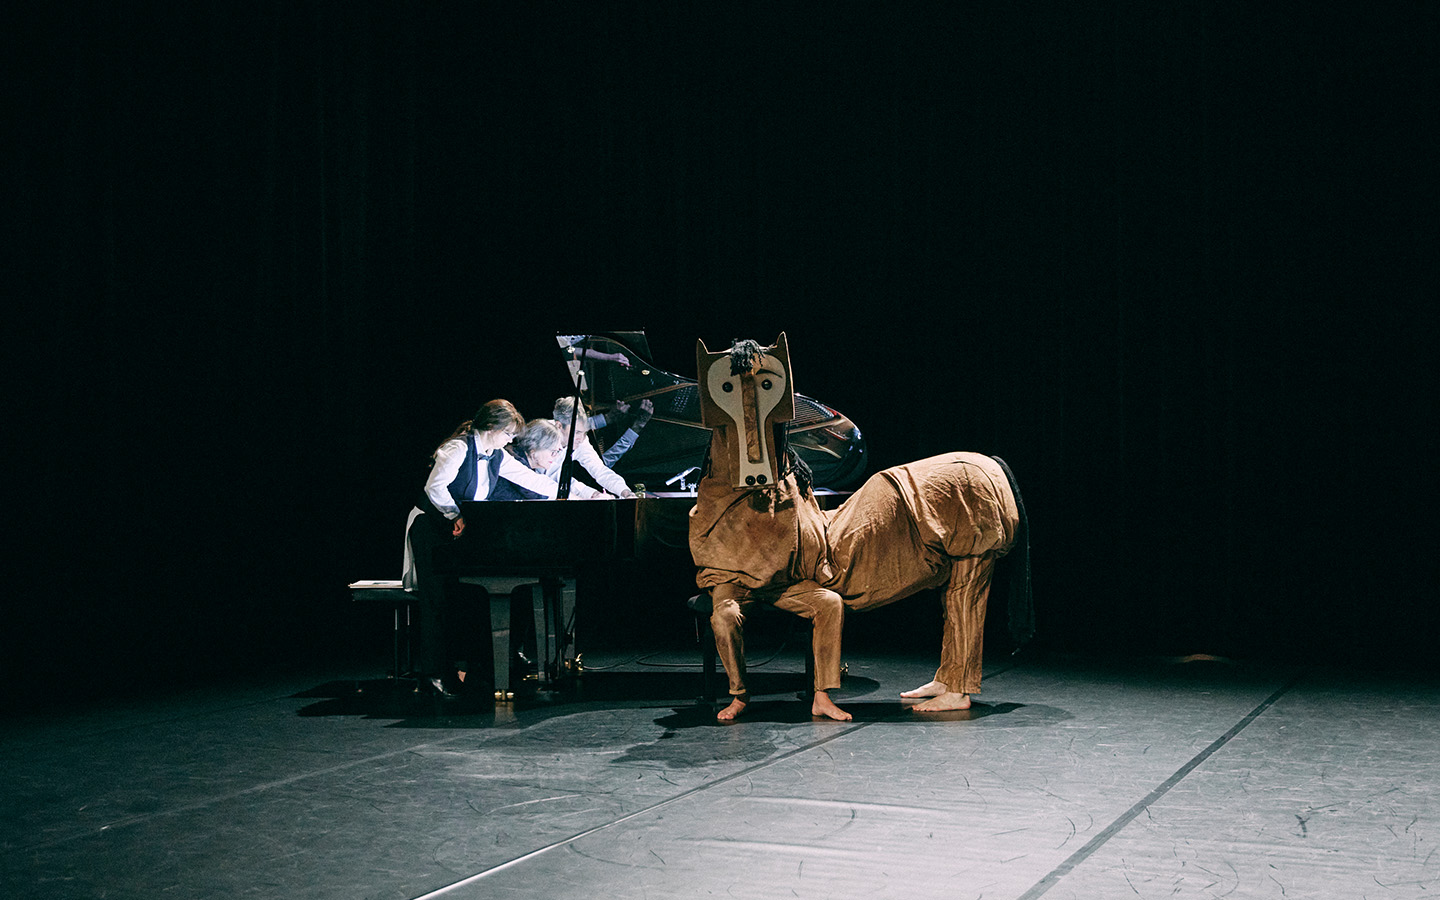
(820, 606)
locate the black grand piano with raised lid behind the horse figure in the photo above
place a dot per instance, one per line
(565, 552)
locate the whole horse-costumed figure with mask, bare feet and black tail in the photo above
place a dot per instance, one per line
(758, 535)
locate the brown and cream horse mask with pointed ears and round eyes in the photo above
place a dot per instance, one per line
(748, 392)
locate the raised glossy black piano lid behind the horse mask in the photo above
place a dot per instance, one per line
(617, 369)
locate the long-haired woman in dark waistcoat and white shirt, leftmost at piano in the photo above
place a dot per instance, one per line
(472, 464)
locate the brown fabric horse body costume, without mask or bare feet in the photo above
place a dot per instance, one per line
(935, 522)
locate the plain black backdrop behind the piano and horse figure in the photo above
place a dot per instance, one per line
(1176, 264)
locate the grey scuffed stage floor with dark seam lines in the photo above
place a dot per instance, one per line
(1074, 778)
